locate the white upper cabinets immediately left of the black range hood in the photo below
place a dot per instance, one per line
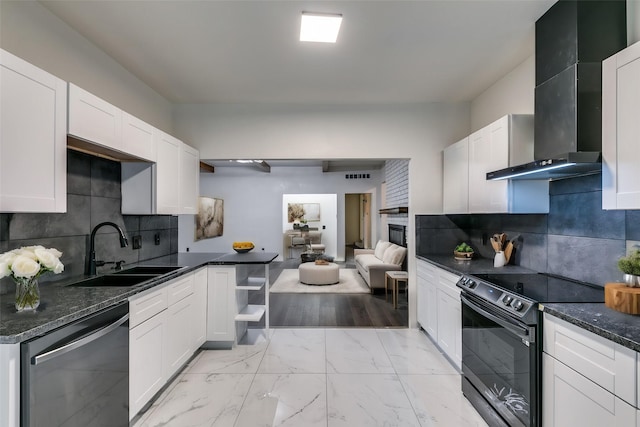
(505, 142)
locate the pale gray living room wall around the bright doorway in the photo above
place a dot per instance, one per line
(253, 206)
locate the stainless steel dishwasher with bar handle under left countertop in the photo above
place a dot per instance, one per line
(78, 375)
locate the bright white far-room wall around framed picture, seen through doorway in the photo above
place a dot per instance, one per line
(328, 218)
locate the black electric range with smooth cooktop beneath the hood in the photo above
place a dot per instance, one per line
(502, 341)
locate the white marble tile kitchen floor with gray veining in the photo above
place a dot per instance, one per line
(318, 377)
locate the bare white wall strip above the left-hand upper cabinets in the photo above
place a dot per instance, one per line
(31, 32)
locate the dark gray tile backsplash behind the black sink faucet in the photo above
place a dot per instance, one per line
(93, 196)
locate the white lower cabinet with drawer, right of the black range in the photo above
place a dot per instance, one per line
(587, 379)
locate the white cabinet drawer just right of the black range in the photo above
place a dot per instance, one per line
(604, 362)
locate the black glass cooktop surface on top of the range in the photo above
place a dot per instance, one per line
(544, 288)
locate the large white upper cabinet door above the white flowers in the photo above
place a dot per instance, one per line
(33, 138)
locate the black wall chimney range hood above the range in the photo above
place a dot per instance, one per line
(572, 39)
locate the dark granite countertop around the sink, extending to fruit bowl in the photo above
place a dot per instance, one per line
(61, 304)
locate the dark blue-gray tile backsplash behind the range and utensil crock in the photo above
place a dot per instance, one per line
(577, 239)
